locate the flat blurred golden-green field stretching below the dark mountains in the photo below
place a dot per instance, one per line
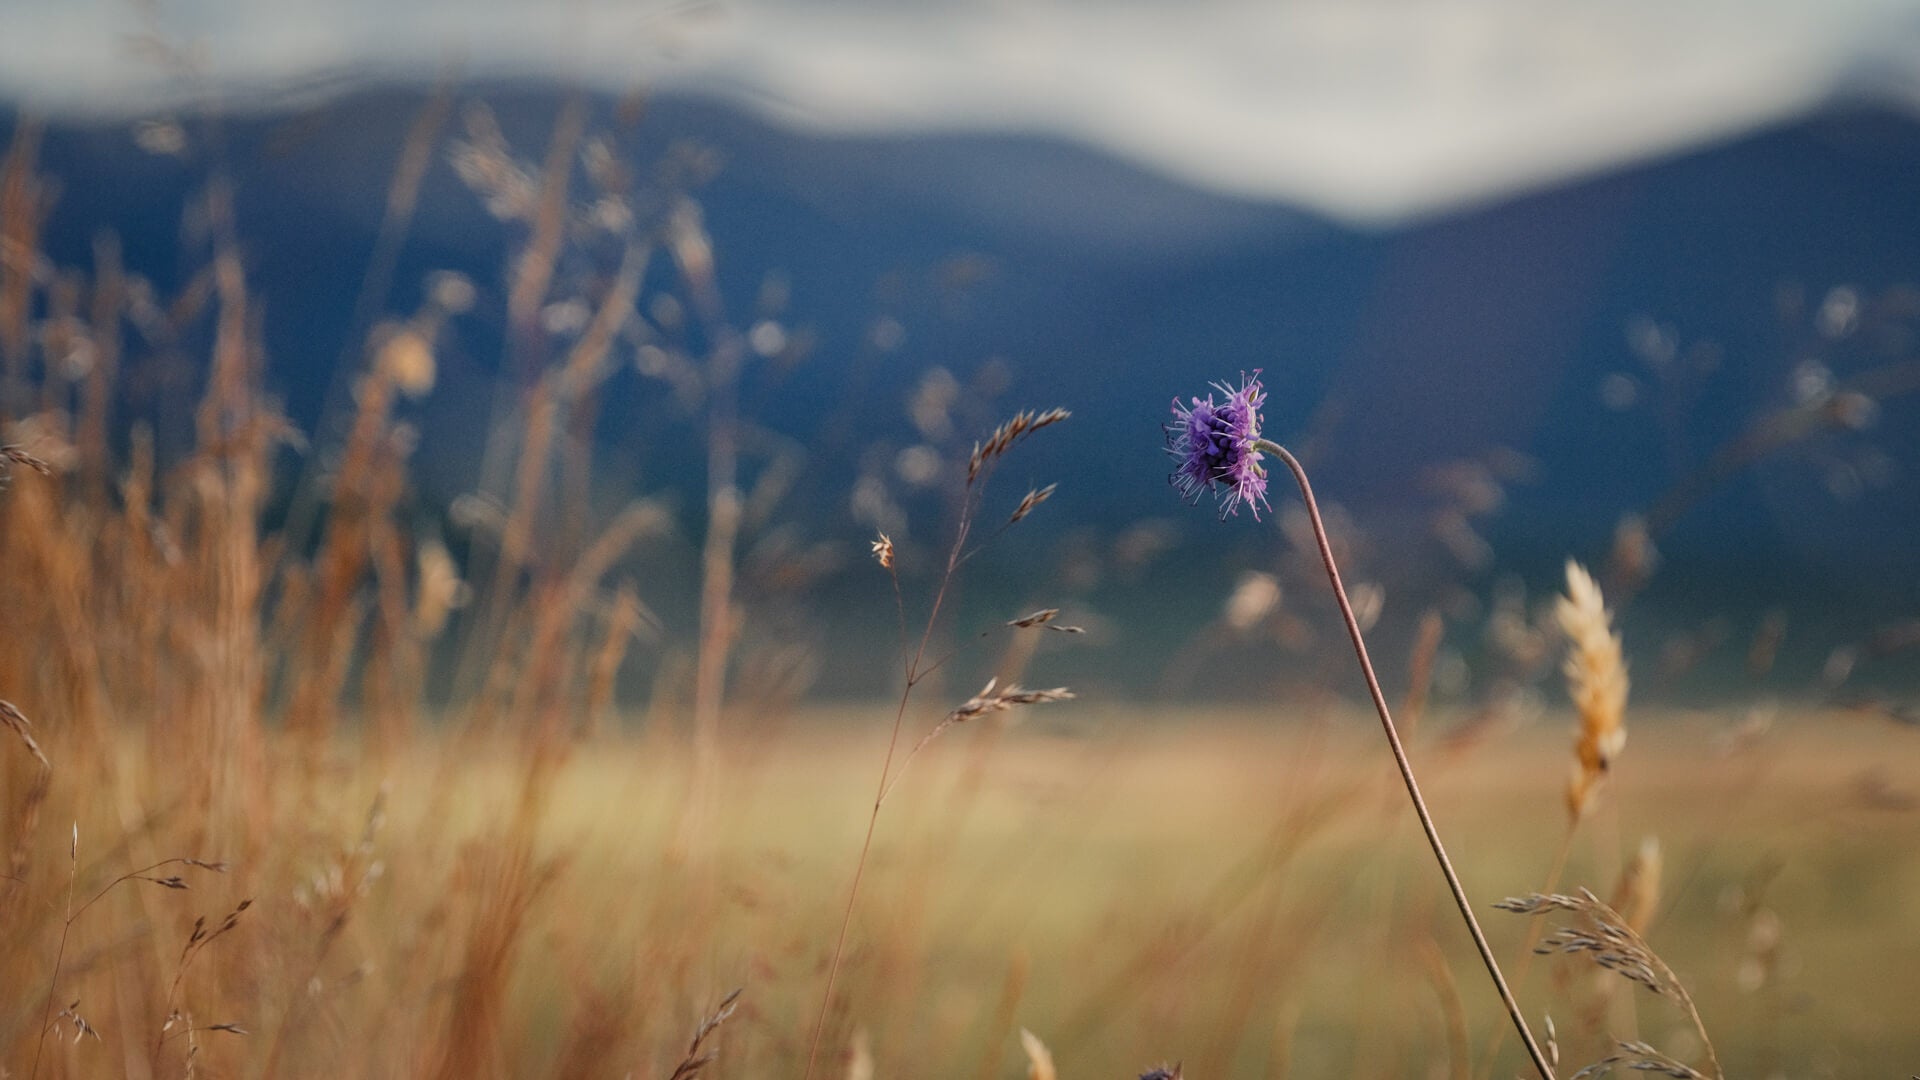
(1249, 898)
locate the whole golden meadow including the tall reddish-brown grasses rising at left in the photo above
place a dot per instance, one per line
(293, 787)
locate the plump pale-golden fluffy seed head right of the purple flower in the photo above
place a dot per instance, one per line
(1596, 681)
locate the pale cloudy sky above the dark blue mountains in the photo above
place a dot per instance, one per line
(1374, 112)
